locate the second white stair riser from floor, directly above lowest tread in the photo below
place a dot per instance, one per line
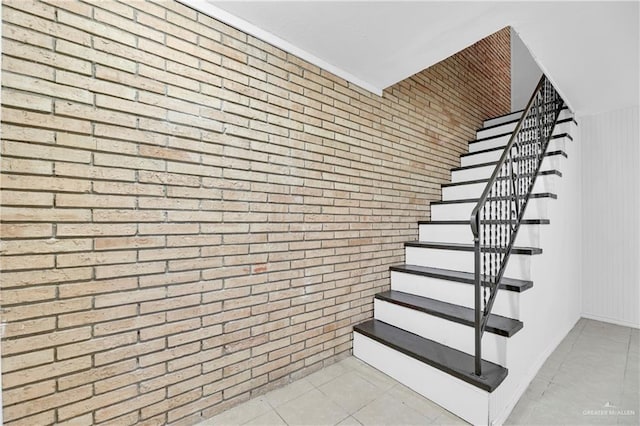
(449, 333)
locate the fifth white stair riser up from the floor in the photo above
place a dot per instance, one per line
(528, 235)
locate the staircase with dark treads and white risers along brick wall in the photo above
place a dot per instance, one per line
(423, 329)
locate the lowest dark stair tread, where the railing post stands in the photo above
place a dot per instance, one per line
(437, 355)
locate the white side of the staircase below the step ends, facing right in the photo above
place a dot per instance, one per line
(551, 308)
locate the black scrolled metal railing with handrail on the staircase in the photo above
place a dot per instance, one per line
(496, 218)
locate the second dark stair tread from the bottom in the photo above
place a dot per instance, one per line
(496, 324)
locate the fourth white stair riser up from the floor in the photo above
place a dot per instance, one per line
(519, 265)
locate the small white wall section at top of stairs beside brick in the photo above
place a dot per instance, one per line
(525, 73)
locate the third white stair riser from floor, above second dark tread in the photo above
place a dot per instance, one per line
(507, 302)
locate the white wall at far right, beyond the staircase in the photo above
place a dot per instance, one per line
(611, 216)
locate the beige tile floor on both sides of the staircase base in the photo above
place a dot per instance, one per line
(591, 378)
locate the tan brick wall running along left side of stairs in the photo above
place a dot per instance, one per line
(190, 215)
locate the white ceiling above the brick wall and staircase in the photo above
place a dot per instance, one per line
(590, 50)
